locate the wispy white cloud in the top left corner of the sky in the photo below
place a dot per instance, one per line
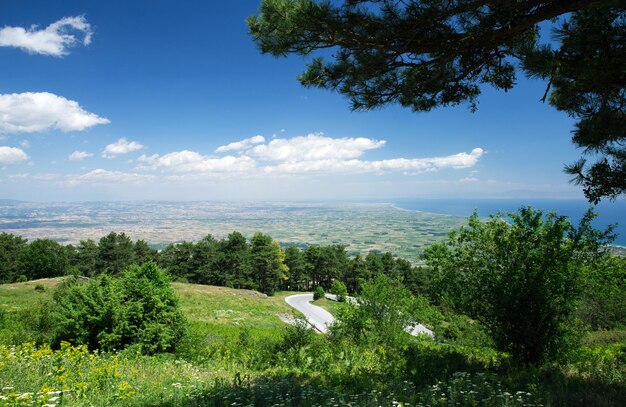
(53, 40)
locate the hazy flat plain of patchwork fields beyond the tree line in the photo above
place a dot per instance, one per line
(360, 227)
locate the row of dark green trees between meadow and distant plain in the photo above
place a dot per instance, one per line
(258, 263)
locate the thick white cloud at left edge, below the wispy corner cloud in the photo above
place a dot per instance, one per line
(38, 111)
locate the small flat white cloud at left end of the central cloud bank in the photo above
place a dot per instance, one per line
(191, 161)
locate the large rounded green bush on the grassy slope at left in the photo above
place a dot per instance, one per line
(137, 308)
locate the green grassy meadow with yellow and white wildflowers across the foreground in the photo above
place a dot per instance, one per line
(239, 351)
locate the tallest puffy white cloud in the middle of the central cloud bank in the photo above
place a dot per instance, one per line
(314, 147)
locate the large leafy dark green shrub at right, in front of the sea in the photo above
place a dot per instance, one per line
(522, 278)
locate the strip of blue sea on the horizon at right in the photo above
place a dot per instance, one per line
(609, 212)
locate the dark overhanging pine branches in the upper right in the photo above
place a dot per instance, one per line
(424, 54)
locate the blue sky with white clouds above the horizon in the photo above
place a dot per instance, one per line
(126, 100)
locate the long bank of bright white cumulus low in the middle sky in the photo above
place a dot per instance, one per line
(314, 153)
